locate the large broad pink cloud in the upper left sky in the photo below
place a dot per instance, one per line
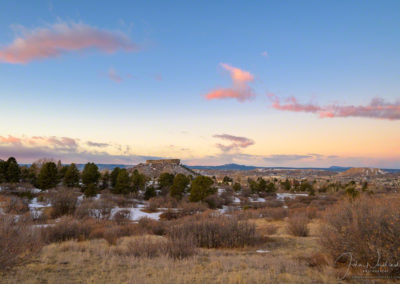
(61, 38)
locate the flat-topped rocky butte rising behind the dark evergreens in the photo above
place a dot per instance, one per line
(153, 168)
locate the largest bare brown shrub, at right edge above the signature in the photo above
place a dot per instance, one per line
(367, 228)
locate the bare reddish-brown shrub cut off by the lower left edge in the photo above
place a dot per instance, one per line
(16, 238)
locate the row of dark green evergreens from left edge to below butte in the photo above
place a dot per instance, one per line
(46, 174)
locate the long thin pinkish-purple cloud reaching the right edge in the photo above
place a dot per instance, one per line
(377, 108)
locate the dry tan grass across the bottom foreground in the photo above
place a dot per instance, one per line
(97, 262)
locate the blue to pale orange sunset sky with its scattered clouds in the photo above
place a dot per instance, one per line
(265, 83)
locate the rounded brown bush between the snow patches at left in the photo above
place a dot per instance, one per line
(63, 203)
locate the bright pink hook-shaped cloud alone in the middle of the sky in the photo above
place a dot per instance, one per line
(240, 90)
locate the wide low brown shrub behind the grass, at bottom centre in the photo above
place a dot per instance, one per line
(216, 232)
